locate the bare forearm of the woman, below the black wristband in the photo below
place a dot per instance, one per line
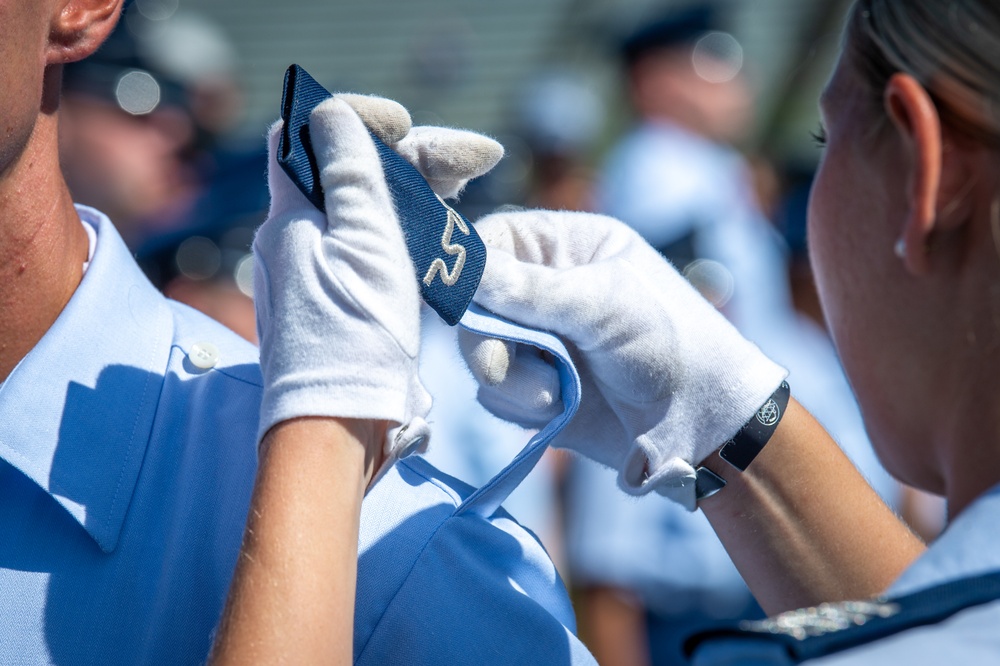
(803, 526)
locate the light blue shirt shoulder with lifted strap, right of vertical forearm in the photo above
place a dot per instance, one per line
(445, 575)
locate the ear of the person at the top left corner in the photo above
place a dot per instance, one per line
(79, 27)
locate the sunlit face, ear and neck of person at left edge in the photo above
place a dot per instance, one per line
(42, 243)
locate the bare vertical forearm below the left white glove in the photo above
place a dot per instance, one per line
(292, 597)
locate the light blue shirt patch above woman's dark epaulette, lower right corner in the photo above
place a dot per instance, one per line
(967, 547)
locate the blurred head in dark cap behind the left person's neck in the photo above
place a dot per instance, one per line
(125, 133)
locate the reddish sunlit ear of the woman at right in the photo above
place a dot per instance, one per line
(918, 126)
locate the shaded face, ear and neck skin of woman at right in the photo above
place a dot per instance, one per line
(918, 334)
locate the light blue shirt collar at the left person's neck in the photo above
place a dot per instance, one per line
(77, 412)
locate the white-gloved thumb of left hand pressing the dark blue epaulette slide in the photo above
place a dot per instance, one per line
(363, 241)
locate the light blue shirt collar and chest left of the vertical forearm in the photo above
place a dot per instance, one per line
(125, 475)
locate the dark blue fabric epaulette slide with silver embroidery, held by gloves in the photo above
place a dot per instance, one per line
(447, 253)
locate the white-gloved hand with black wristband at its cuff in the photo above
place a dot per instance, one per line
(666, 378)
